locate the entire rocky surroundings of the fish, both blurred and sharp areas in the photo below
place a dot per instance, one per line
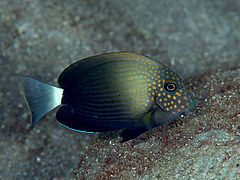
(199, 40)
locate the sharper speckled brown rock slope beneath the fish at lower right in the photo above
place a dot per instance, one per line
(202, 145)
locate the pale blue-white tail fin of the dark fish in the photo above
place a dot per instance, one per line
(41, 97)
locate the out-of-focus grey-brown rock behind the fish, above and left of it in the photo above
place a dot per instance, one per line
(41, 38)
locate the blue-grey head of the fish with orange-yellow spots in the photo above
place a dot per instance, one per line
(172, 95)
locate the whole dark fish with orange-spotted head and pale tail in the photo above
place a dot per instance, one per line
(111, 92)
